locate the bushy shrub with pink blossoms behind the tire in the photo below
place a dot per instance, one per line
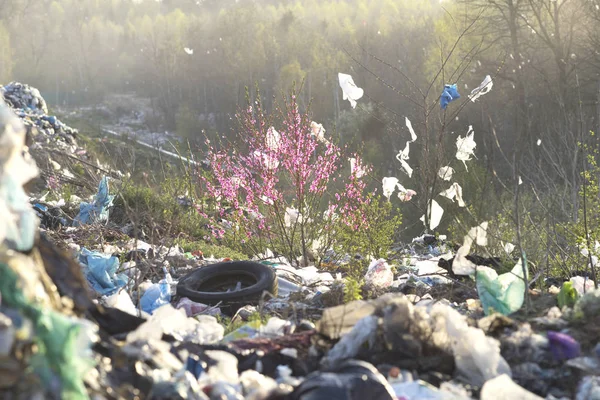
(274, 188)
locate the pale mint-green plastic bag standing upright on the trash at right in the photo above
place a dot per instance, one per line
(505, 293)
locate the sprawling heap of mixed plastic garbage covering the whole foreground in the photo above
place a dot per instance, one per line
(122, 318)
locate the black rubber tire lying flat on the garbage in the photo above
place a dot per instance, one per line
(197, 284)
